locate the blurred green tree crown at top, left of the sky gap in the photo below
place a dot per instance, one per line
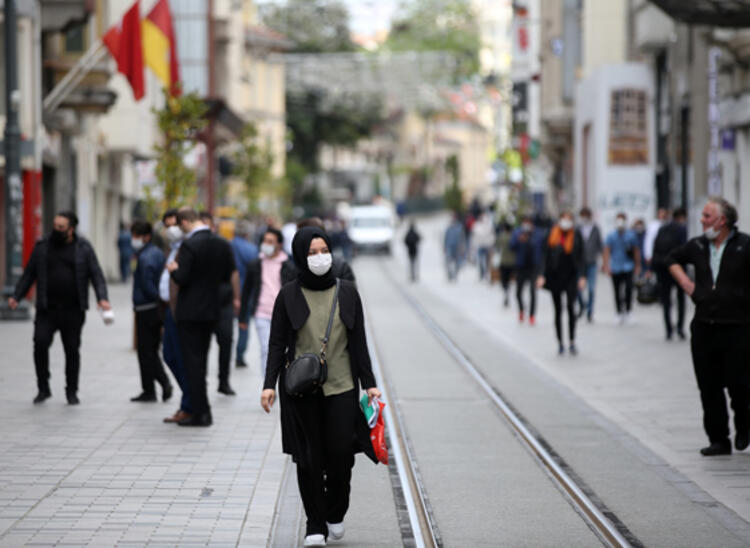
(314, 26)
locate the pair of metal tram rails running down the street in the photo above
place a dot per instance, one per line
(604, 523)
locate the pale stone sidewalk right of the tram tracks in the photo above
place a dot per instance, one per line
(629, 374)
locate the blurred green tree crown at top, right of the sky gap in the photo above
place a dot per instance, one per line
(439, 25)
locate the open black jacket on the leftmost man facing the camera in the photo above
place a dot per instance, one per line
(87, 270)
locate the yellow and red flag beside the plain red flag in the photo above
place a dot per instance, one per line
(160, 46)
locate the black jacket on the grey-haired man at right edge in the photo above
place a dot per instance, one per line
(727, 301)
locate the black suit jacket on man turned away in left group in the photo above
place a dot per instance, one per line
(206, 265)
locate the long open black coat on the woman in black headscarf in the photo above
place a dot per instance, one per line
(290, 312)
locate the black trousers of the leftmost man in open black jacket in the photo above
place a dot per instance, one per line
(69, 323)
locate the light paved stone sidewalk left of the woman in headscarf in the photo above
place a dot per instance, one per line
(109, 472)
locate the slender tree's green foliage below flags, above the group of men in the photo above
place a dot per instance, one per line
(179, 122)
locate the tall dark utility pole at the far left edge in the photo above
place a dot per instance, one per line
(13, 194)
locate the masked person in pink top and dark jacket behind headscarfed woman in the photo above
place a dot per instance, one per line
(266, 274)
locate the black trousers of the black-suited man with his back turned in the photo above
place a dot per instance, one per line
(195, 340)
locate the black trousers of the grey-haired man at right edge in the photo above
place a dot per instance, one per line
(720, 360)
